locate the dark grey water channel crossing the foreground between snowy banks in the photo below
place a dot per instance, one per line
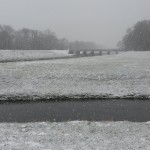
(102, 110)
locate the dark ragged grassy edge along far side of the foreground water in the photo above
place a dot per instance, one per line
(69, 97)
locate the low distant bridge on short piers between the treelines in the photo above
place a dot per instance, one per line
(95, 52)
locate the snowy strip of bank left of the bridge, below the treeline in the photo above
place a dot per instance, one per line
(29, 55)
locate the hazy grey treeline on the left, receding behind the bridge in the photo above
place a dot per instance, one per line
(29, 39)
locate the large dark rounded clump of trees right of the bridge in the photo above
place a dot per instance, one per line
(137, 37)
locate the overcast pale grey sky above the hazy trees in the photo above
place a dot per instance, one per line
(100, 21)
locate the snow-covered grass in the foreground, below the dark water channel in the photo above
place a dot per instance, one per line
(75, 136)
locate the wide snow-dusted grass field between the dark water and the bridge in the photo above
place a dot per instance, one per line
(126, 75)
